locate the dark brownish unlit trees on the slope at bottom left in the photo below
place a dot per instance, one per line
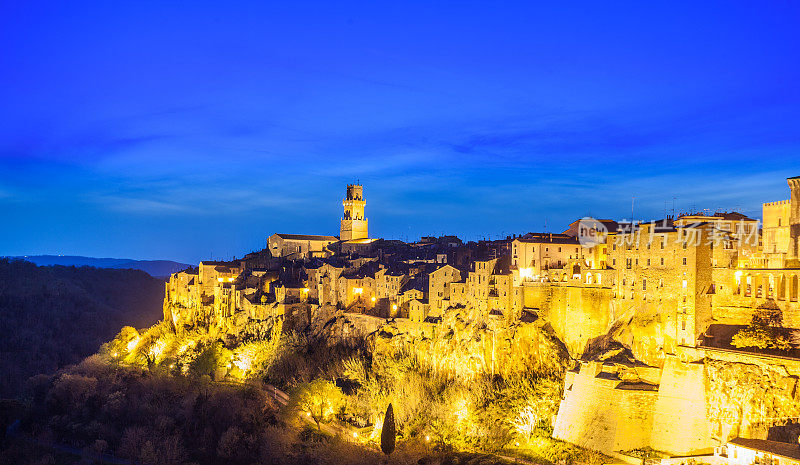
(98, 411)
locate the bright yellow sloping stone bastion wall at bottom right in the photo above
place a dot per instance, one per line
(721, 396)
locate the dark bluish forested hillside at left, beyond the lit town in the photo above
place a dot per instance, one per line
(54, 316)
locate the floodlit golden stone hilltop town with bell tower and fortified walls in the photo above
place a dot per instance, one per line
(678, 334)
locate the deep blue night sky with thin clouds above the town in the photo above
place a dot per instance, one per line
(178, 130)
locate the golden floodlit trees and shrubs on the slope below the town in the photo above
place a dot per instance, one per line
(348, 387)
